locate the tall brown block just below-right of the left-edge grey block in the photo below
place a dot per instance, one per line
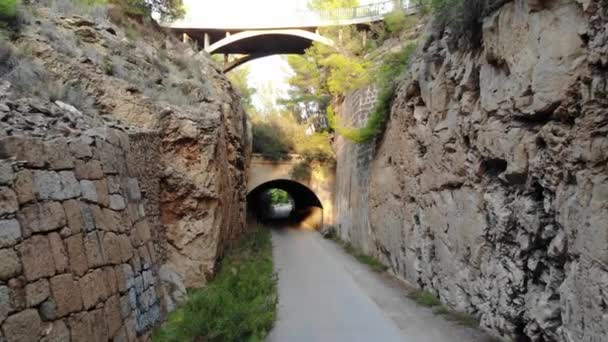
(37, 258)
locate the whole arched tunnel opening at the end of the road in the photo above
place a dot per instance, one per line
(284, 202)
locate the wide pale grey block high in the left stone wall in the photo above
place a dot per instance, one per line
(50, 185)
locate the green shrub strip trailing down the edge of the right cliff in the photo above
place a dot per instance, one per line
(388, 74)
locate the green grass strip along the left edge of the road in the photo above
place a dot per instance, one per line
(238, 305)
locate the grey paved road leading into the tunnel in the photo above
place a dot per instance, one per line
(326, 295)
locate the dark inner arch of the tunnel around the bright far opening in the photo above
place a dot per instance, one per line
(307, 207)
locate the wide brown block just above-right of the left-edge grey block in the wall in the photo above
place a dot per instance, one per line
(41, 217)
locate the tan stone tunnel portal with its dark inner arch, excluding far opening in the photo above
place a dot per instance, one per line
(313, 194)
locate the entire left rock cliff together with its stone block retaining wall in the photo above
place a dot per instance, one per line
(131, 150)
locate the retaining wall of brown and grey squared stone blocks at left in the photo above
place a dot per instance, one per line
(76, 246)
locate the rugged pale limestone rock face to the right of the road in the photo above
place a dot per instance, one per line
(489, 186)
